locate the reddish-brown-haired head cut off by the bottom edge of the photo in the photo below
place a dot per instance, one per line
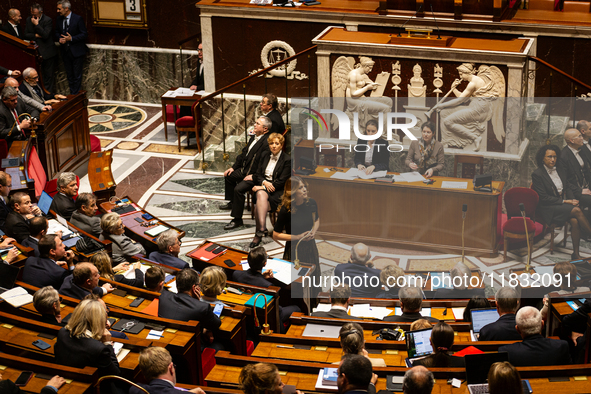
(261, 378)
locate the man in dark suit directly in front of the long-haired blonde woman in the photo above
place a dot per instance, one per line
(83, 281)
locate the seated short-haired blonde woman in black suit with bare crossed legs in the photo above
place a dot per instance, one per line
(273, 171)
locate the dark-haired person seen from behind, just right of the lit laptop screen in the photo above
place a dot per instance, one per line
(442, 339)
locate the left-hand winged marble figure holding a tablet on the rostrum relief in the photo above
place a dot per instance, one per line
(350, 80)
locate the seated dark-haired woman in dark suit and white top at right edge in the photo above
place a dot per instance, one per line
(557, 204)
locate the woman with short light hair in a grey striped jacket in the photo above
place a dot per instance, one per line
(123, 246)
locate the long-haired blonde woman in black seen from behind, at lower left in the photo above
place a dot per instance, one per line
(85, 340)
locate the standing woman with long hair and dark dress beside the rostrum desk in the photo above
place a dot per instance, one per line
(298, 217)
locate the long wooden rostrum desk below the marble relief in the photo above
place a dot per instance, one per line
(407, 215)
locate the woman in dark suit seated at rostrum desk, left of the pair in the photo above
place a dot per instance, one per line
(377, 157)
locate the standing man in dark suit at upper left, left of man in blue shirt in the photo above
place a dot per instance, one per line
(39, 28)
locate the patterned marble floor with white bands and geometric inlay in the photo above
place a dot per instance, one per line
(151, 171)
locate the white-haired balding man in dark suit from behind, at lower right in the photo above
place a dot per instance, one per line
(535, 350)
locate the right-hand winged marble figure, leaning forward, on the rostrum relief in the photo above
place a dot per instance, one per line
(465, 126)
